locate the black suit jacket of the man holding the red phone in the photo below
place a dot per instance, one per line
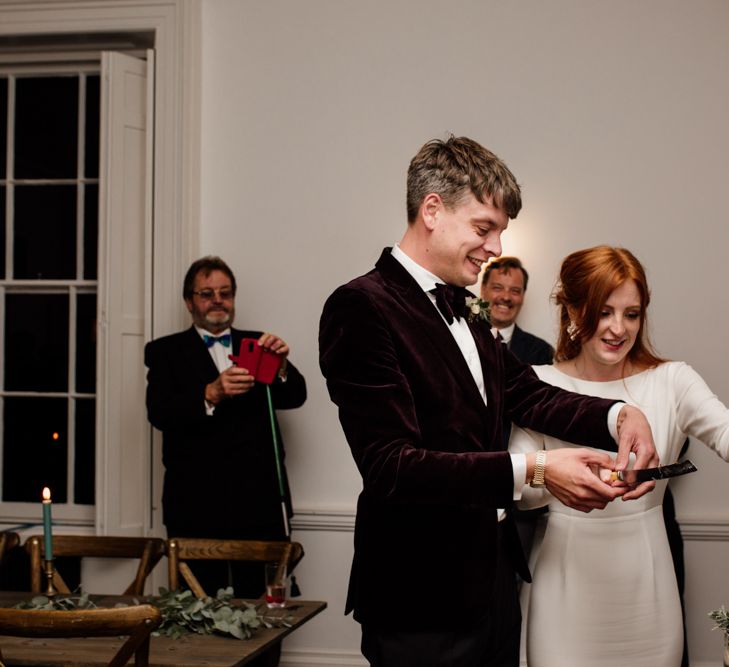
(220, 472)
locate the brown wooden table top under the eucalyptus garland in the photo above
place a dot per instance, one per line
(189, 651)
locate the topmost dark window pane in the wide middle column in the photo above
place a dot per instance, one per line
(46, 127)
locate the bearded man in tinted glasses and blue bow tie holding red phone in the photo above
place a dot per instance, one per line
(220, 469)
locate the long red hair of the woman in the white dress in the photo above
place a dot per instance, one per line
(586, 280)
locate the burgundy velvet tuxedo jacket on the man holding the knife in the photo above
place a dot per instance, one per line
(429, 450)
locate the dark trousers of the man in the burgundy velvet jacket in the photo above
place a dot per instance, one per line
(492, 642)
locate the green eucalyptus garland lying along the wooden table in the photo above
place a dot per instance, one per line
(183, 613)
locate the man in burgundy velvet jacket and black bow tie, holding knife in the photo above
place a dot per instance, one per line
(421, 393)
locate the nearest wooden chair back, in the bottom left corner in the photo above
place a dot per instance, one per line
(135, 622)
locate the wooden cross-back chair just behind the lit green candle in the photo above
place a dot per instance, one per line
(148, 550)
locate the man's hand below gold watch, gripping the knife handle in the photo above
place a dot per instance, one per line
(569, 476)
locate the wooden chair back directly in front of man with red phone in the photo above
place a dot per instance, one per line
(180, 549)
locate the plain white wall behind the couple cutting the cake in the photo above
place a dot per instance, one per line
(613, 116)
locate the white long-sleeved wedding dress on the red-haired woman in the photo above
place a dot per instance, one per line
(604, 591)
